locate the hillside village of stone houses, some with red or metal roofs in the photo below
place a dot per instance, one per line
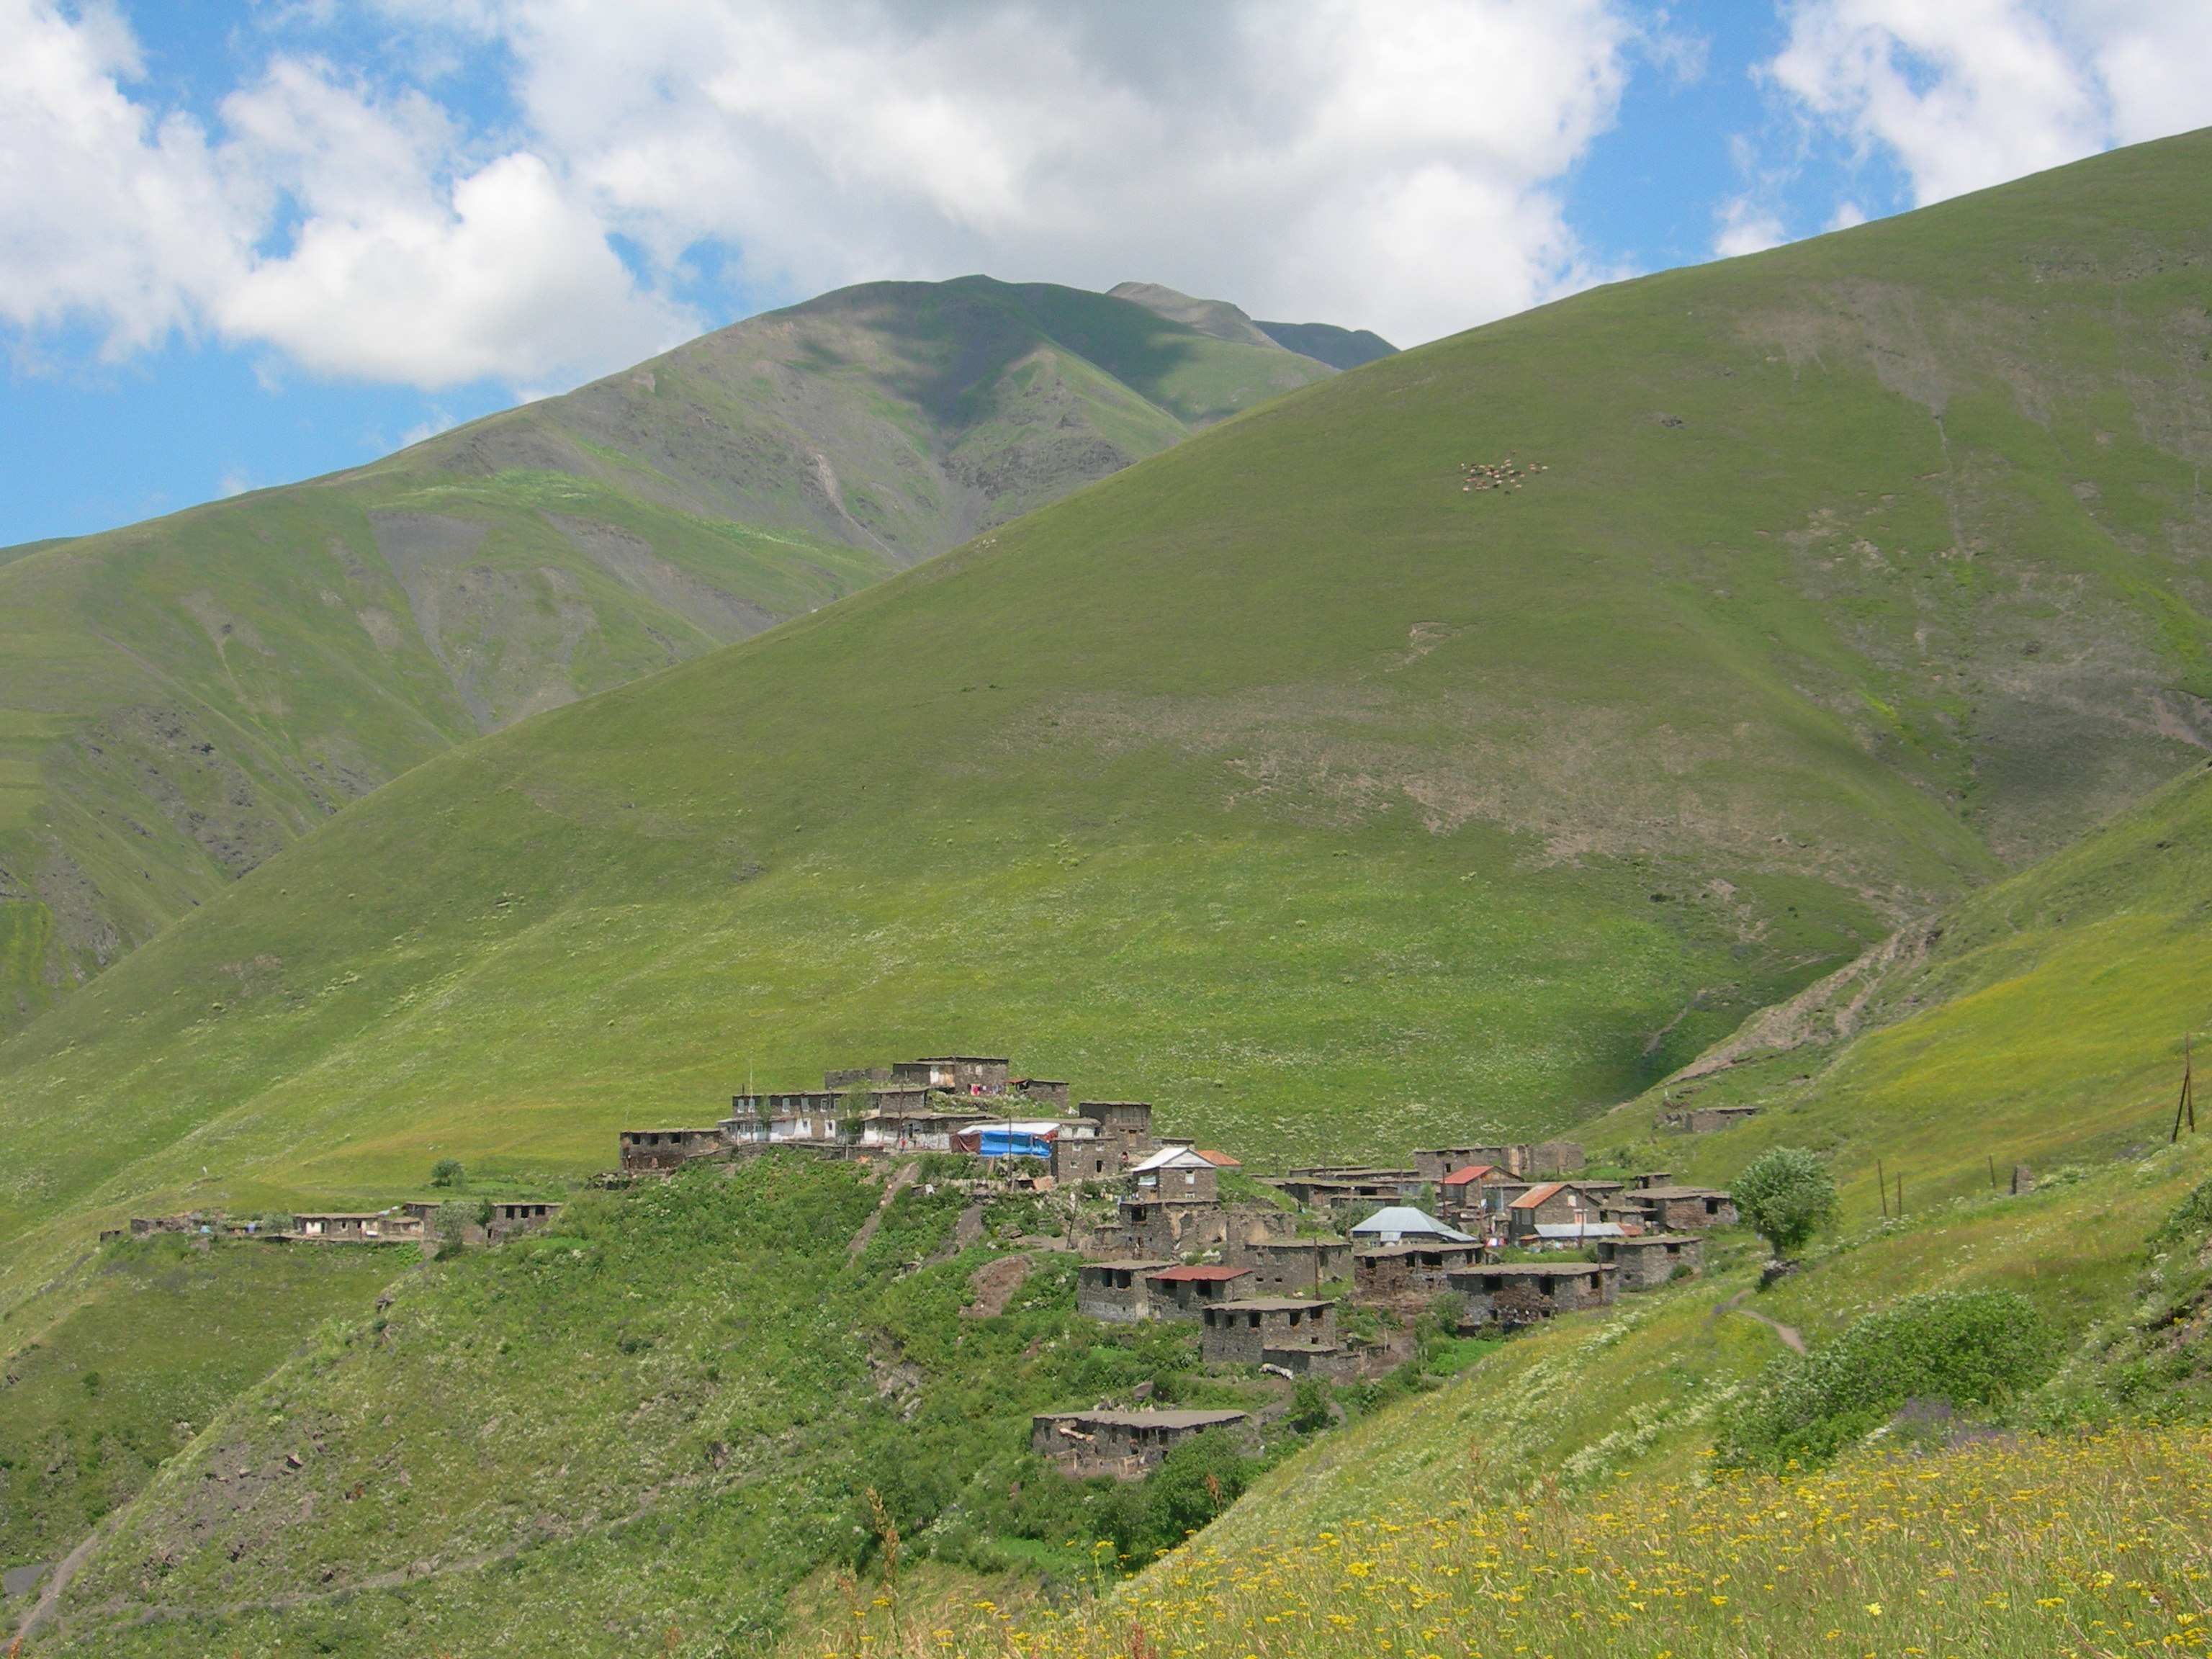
(1459, 1231)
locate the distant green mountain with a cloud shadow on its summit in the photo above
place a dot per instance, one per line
(180, 700)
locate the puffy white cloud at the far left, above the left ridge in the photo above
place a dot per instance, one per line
(326, 225)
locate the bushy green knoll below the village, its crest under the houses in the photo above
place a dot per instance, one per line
(654, 1419)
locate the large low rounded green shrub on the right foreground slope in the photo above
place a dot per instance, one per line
(1972, 1348)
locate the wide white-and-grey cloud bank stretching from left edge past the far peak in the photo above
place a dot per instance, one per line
(1377, 163)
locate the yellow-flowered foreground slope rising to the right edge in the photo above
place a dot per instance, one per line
(2043, 1021)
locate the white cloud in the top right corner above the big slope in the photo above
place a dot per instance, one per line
(1976, 92)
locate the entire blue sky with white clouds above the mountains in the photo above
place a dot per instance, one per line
(244, 244)
